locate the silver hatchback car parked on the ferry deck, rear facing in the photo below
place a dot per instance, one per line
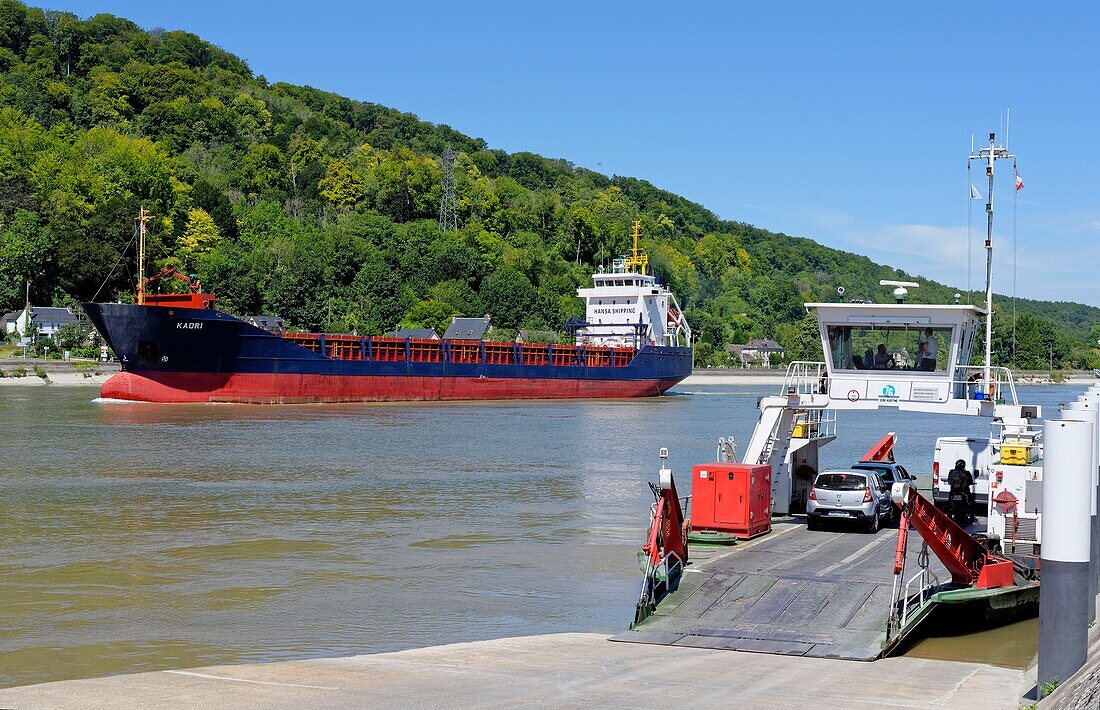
(852, 496)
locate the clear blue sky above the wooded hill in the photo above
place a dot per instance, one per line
(845, 123)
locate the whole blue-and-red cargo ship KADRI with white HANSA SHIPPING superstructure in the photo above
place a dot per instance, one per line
(179, 347)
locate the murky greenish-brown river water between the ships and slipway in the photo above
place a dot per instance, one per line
(144, 537)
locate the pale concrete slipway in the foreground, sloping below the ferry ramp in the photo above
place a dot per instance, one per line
(549, 671)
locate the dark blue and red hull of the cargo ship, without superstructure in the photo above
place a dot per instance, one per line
(201, 355)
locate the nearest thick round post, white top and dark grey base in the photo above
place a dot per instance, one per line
(1064, 605)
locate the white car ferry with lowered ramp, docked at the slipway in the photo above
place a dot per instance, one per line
(802, 592)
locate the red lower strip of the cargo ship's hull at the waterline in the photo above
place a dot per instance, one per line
(303, 389)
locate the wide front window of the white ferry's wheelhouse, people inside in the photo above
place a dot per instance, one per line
(890, 347)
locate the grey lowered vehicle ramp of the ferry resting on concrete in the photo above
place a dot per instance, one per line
(819, 594)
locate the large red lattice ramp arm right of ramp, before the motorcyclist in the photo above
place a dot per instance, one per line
(967, 560)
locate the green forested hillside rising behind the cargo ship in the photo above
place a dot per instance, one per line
(295, 202)
